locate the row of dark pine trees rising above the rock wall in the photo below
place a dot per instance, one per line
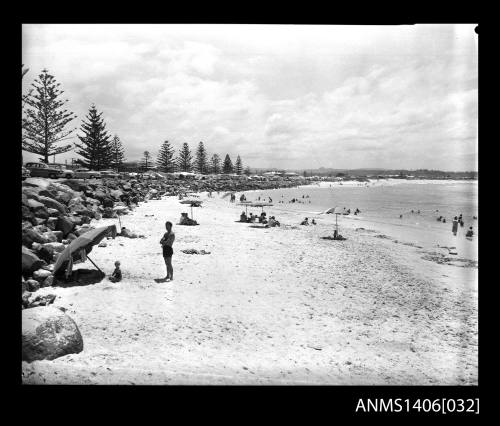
(45, 127)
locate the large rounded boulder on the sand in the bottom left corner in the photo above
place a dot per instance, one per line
(48, 333)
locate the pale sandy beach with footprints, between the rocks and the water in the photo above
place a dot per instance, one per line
(271, 306)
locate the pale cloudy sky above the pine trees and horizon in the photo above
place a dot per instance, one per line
(280, 96)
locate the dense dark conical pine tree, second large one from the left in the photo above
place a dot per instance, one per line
(95, 146)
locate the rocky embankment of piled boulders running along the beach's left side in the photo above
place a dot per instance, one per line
(55, 212)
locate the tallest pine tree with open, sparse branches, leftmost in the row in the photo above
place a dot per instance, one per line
(45, 120)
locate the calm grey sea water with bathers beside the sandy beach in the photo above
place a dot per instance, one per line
(385, 201)
